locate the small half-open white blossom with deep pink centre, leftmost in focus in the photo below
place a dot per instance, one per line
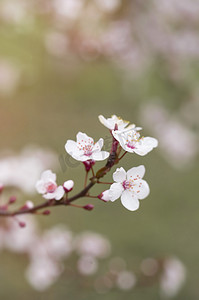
(48, 187)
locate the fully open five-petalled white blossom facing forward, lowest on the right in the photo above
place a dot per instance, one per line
(129, 186)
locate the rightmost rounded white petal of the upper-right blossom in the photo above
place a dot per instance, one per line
(145, 145)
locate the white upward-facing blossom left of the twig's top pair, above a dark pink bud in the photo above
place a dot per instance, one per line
(85, 148)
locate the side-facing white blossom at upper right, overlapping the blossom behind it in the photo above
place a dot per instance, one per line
(131, 141)
